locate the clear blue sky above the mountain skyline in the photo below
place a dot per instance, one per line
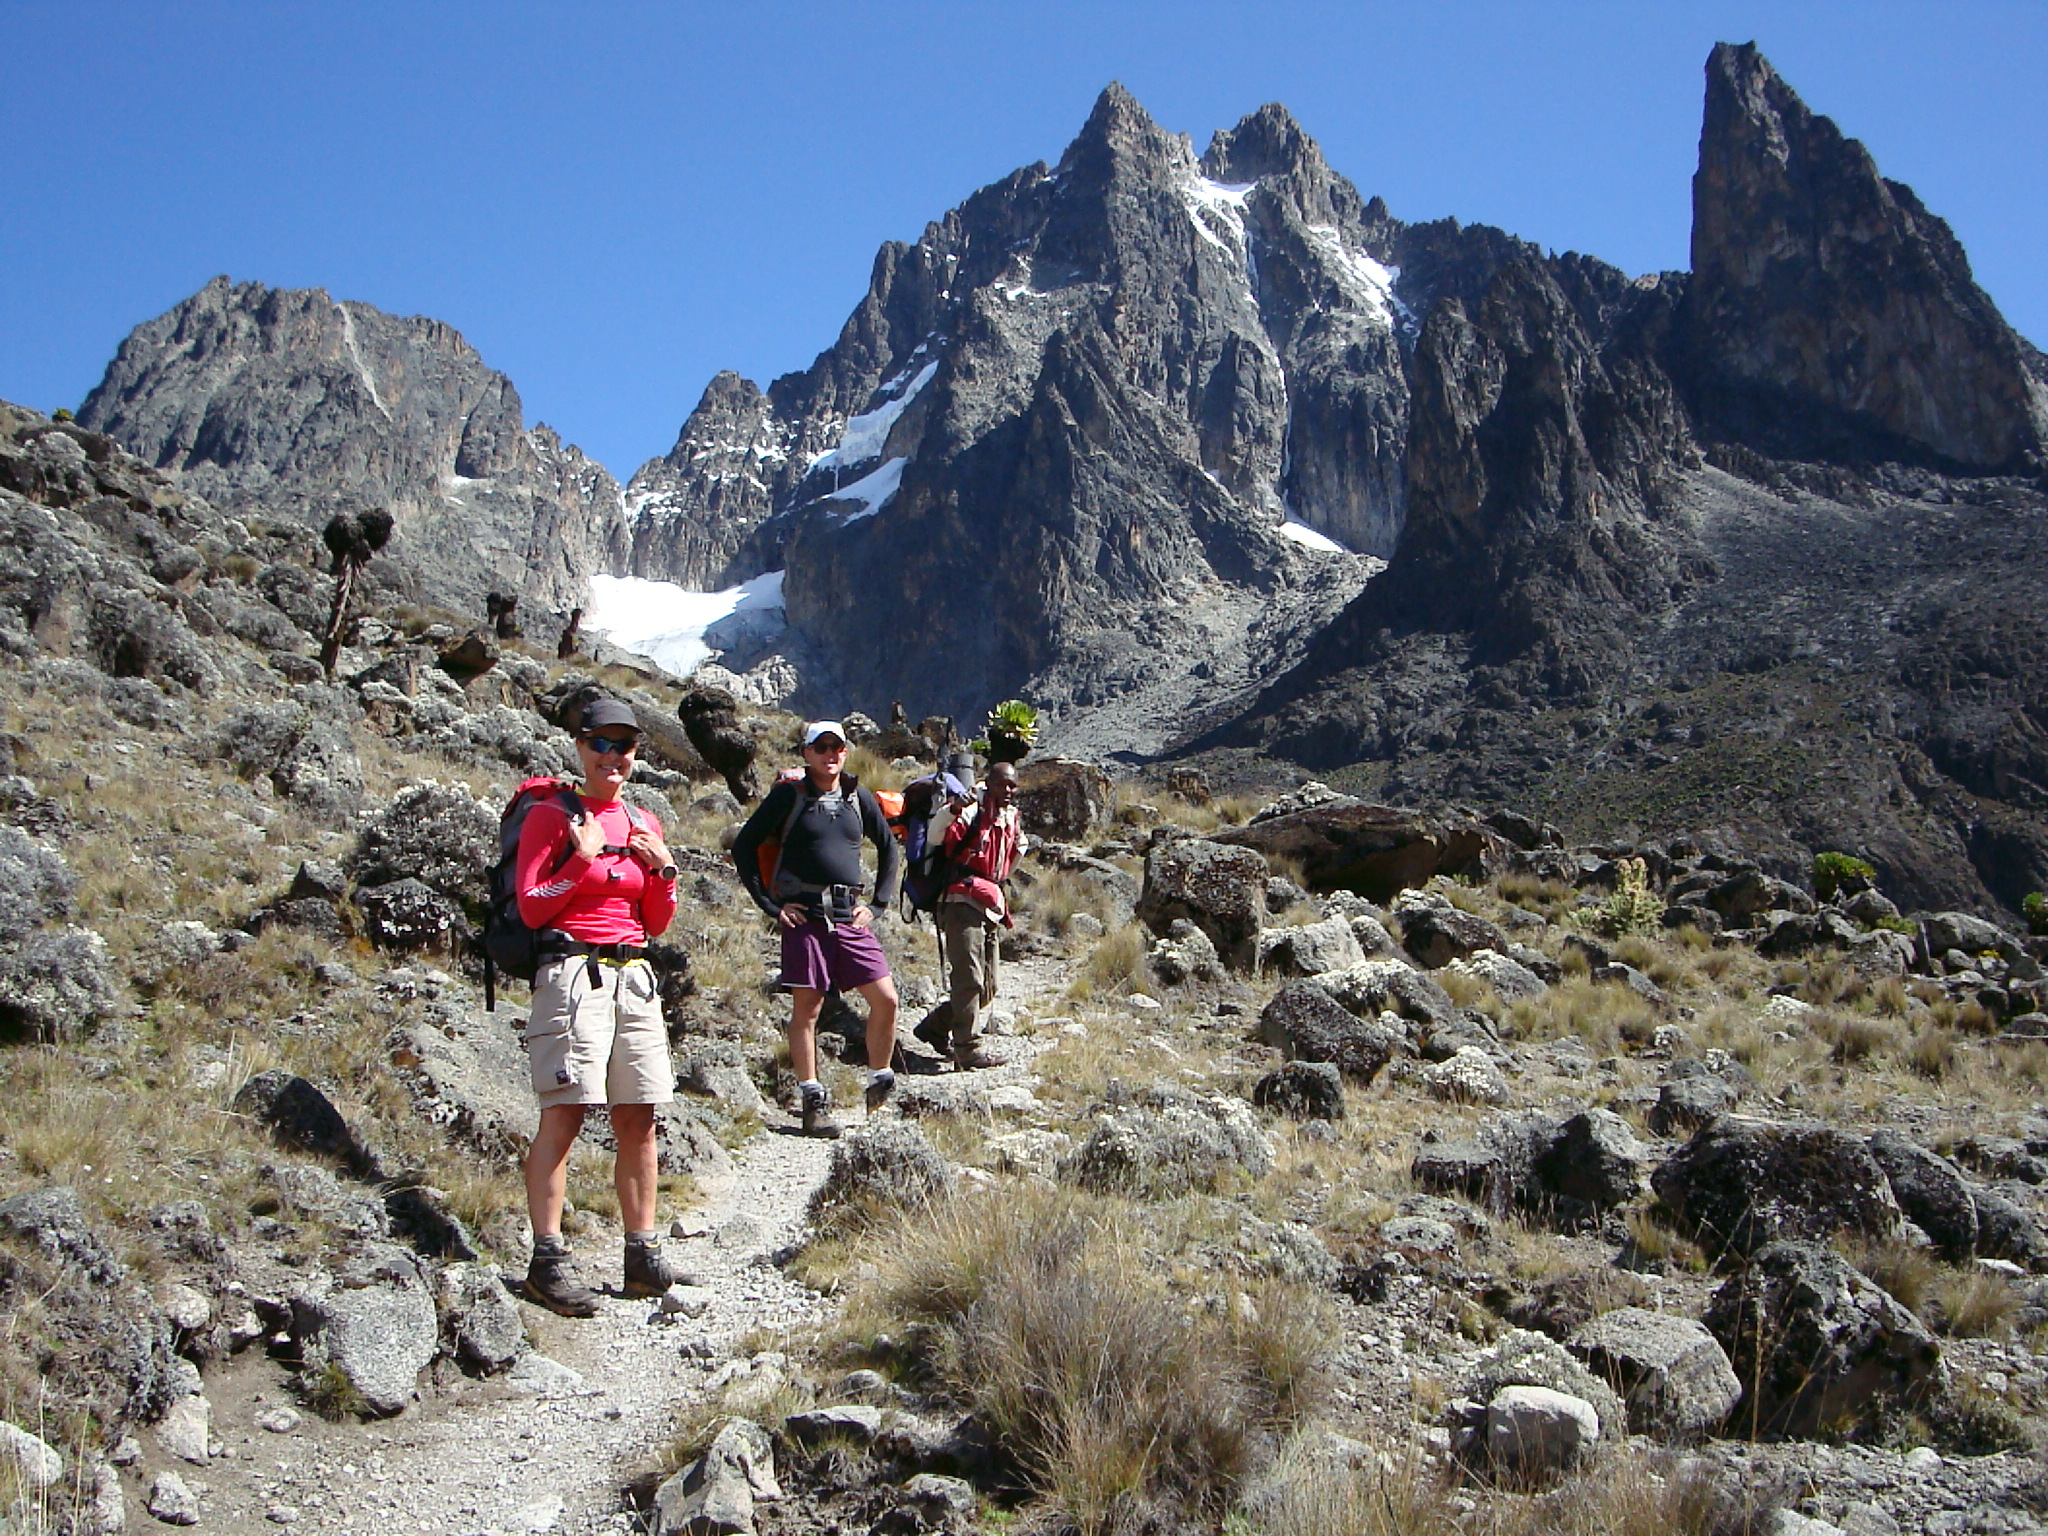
(615, 202)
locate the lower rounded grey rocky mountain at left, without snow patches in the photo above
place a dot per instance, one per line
(288, 402)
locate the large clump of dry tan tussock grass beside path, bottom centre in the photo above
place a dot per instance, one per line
(1046, 1312)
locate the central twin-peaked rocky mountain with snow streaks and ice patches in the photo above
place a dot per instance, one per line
(1080, 435)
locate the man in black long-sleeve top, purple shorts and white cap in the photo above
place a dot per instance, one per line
(816, 900)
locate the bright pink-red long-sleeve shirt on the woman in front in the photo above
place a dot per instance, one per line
(609, 900)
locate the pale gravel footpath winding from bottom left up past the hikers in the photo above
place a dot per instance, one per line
(495, 1459)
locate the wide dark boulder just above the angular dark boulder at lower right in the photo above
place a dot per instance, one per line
(1742, 1185)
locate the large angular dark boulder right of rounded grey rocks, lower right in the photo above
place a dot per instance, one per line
(1818, 1345)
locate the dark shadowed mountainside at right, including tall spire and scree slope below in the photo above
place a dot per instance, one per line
(1719, 550)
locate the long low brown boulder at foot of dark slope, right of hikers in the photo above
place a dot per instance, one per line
(1371, 849)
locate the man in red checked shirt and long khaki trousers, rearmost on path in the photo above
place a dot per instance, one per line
(982, 849)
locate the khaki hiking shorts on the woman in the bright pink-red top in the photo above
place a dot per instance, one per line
(599, 1043)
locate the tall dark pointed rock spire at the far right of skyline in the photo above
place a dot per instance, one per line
(1830, 312)
